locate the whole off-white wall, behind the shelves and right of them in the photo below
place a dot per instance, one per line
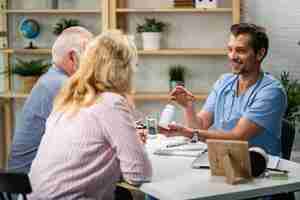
(191, 30)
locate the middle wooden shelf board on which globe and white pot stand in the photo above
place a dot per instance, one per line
(162, 52)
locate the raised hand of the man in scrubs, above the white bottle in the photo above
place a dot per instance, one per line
(182, 96)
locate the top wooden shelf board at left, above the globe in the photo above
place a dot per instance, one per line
(50, 11)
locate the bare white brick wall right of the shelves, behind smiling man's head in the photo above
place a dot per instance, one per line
(280, 19)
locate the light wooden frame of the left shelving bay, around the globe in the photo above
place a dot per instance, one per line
(8, 96)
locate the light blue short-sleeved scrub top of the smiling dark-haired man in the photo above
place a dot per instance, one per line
(264, 103)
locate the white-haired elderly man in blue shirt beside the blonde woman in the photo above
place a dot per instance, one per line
(65, 56)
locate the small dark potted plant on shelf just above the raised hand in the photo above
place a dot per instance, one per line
(176, 74)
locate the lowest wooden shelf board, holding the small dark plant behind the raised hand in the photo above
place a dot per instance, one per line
(138, 96)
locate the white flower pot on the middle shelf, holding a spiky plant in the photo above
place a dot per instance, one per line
(151, 40)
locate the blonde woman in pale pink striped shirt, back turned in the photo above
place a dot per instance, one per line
(90, 139)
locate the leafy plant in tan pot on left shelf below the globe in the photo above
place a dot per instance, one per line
(28, 72)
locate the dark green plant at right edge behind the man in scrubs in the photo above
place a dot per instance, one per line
(292, 88)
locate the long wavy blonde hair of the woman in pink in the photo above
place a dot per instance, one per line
(106, 65)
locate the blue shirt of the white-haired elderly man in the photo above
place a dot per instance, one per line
(36, 110)
